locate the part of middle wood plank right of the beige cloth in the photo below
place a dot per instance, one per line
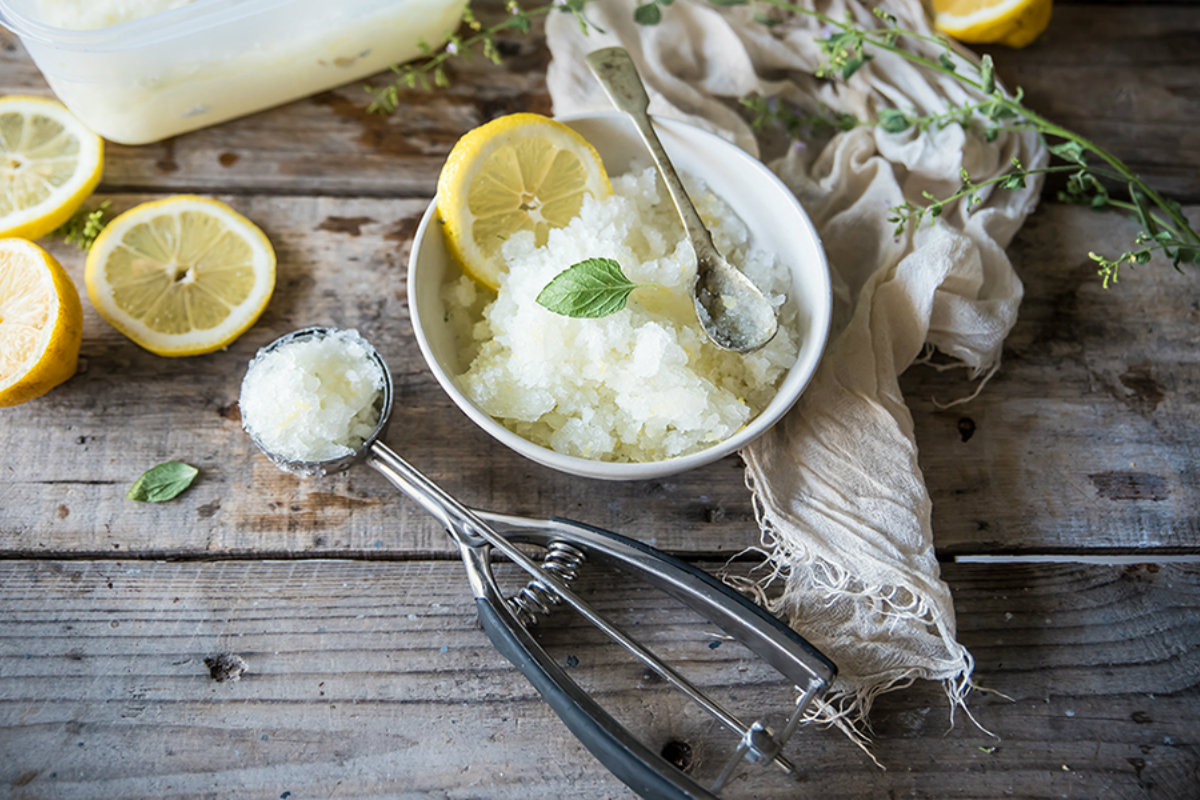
(1087, 434)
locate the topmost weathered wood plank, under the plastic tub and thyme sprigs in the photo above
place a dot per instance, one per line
(1130, 76)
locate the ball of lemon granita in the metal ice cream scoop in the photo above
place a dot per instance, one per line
(315, 398)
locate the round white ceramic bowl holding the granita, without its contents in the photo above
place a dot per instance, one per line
(777, 224)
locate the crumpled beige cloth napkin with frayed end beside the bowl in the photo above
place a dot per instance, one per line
(842, 502)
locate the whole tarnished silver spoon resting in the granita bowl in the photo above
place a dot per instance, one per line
(733, 311)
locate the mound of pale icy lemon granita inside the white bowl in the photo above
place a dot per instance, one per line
(641, 384)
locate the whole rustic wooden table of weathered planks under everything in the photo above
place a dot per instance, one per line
(1066, 503)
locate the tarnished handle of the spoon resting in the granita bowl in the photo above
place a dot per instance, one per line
(615, 70)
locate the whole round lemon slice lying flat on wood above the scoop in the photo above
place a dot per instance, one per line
(182, 276)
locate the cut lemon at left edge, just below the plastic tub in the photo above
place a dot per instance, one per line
(50, 164)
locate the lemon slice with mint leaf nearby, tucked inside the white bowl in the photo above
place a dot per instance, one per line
(521, 172)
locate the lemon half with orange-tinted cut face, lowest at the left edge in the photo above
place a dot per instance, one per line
(41, 323)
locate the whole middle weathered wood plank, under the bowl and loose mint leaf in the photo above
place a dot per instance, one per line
(1083, 441)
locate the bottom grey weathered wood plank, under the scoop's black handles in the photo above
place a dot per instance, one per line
(370, 679)
